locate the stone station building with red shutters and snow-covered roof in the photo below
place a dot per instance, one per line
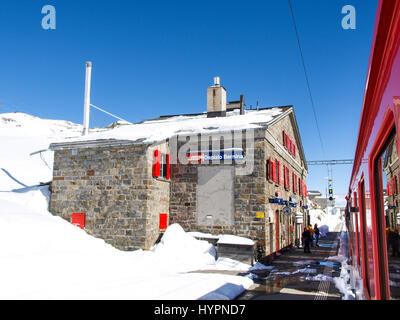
(225, 171)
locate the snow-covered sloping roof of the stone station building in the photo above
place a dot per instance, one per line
(160, 129)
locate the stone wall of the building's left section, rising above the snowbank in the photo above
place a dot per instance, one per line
(113, 185)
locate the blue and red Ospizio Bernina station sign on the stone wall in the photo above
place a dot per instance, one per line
(215, 155)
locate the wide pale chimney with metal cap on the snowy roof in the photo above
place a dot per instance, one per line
(216, 100)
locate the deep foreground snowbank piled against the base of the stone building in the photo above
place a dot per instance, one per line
(46, 257)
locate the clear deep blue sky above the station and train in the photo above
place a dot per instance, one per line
(152, 58)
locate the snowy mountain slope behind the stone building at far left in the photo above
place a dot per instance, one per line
(20, 135)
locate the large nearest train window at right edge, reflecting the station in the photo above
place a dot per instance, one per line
(389, 164)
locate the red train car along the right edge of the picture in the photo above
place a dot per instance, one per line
(372, 213)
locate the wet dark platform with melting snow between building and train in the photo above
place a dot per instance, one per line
(295, 275)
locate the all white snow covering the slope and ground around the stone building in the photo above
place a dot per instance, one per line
(45, 257)
